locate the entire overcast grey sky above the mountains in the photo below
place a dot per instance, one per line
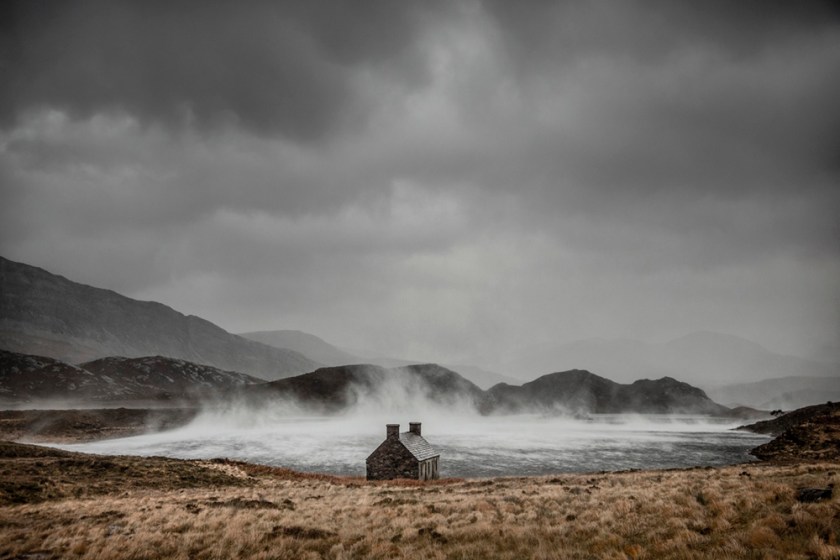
(442, 181)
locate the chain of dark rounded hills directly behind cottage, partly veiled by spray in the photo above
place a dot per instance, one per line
(575, 392)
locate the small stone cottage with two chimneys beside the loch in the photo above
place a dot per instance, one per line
(403, 455)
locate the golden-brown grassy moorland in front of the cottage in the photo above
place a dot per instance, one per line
(55, 504)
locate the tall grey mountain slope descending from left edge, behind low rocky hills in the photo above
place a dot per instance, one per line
(45, 314)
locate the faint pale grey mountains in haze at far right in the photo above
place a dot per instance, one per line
(702, 358)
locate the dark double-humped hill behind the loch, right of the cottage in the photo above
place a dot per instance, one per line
(580, 392)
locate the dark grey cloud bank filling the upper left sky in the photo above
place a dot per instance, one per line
(272, 67)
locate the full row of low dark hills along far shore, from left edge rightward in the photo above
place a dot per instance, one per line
(369, 387)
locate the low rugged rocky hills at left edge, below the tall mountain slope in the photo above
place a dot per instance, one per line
(28, 379)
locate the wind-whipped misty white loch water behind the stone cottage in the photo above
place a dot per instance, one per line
(470, 445)
